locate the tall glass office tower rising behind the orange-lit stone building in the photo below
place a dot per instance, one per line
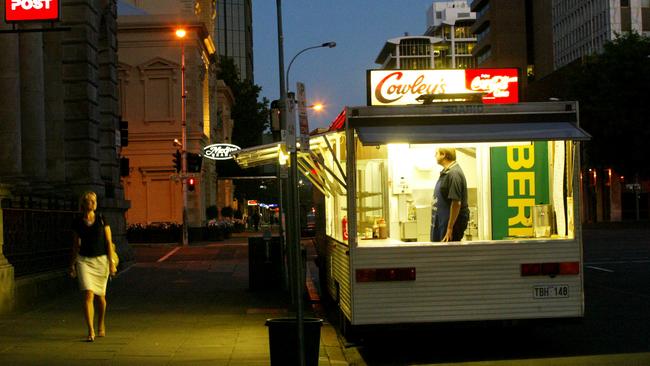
(235, 34)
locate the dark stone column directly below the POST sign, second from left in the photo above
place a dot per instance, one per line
(32, 107)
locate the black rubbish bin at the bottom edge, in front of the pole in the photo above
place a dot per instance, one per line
(283, 341)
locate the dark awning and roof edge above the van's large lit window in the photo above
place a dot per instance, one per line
(457, 123)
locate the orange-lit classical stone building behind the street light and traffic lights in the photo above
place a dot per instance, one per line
(150, 80)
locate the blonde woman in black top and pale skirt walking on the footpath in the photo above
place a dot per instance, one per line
(91, 261)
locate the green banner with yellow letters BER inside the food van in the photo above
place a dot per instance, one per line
(519, 180)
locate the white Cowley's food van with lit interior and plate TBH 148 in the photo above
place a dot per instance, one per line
(521, 255)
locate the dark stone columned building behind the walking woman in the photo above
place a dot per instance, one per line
(59, 127)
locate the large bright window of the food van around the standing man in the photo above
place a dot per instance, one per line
(517, 190)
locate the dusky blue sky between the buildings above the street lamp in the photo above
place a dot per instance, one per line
(333, 76)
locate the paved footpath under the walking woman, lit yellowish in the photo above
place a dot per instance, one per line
(192, 307)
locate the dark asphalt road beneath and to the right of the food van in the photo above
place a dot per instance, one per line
(614, 331)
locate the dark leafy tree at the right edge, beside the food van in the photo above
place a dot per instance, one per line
(613, 89)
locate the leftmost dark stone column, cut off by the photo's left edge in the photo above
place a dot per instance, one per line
(10, 131)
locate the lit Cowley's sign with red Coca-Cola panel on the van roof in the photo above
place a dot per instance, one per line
(401, 87)
